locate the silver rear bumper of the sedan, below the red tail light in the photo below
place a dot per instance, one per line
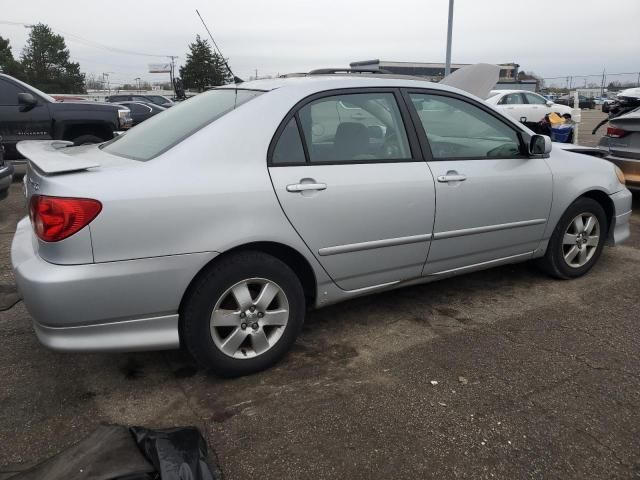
(117, 306)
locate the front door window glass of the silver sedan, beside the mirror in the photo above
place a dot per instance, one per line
(457, 129)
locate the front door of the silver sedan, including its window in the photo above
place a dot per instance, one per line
(492, 200)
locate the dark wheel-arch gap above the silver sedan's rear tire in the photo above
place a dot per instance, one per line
(288, 255)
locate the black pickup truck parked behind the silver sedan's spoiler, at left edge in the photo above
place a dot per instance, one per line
(28, 113)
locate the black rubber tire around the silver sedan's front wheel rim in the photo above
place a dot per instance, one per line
(554, 262)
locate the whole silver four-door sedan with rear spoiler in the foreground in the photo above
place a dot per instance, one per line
(215, 225)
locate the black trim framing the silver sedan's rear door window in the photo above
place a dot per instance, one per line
(412, 136)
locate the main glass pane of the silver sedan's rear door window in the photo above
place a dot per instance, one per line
(354, 127)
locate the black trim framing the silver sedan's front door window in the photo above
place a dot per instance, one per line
(422, 135)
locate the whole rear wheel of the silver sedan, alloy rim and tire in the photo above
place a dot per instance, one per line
(243, 314)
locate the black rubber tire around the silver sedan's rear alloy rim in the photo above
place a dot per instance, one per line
(211, 287)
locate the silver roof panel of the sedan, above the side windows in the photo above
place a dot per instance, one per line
(336, 81)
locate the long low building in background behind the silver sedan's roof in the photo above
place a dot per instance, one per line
(435, 71)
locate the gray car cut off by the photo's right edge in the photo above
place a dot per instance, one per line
(622, 145)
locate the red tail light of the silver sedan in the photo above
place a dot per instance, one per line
(56, 218)
